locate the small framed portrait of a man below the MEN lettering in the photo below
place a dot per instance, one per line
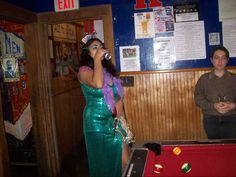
(10, 69)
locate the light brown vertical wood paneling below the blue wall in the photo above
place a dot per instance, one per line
(161, 105)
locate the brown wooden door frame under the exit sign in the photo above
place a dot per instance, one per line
(40, 78)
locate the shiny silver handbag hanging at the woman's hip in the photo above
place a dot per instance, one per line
(122, 127)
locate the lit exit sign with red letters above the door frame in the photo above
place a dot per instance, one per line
(66, 5)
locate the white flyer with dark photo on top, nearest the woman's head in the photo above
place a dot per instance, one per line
(129, 58)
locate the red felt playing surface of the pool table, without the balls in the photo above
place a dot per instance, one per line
(204, 159)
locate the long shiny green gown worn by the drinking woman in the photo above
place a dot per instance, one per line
(104, 148)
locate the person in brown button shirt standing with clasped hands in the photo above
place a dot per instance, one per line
(215, 94)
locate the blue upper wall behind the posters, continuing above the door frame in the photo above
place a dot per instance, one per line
(124, 32)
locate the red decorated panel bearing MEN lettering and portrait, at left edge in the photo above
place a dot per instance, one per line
(15, 92)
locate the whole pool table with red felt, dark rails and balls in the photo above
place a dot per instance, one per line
(184, 158)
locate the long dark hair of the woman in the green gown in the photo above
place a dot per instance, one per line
(87, 60)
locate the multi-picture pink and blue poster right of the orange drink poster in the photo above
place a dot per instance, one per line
(164, 19)
